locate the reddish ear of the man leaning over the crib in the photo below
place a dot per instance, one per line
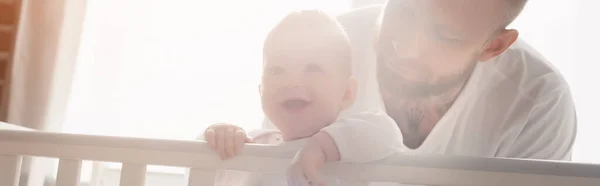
(499, 44)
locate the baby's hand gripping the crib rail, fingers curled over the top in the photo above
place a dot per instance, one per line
(226, 139)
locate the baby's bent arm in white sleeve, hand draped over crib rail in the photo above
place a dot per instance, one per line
(359, 138)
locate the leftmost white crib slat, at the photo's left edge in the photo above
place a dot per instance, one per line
(10, 168)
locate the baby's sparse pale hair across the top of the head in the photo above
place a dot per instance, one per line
(311, 25)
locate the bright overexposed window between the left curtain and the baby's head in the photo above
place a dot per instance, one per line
(167, 69)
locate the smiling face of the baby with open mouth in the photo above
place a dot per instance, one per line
(301, 94)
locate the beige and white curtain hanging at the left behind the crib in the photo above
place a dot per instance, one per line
(44, 57)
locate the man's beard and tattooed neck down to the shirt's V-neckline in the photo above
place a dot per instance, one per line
(409, 103)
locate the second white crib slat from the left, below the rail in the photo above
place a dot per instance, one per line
(68, 172)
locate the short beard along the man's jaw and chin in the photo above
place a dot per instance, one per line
(395, 85)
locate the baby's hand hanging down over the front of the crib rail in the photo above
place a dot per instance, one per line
(305, 166)
